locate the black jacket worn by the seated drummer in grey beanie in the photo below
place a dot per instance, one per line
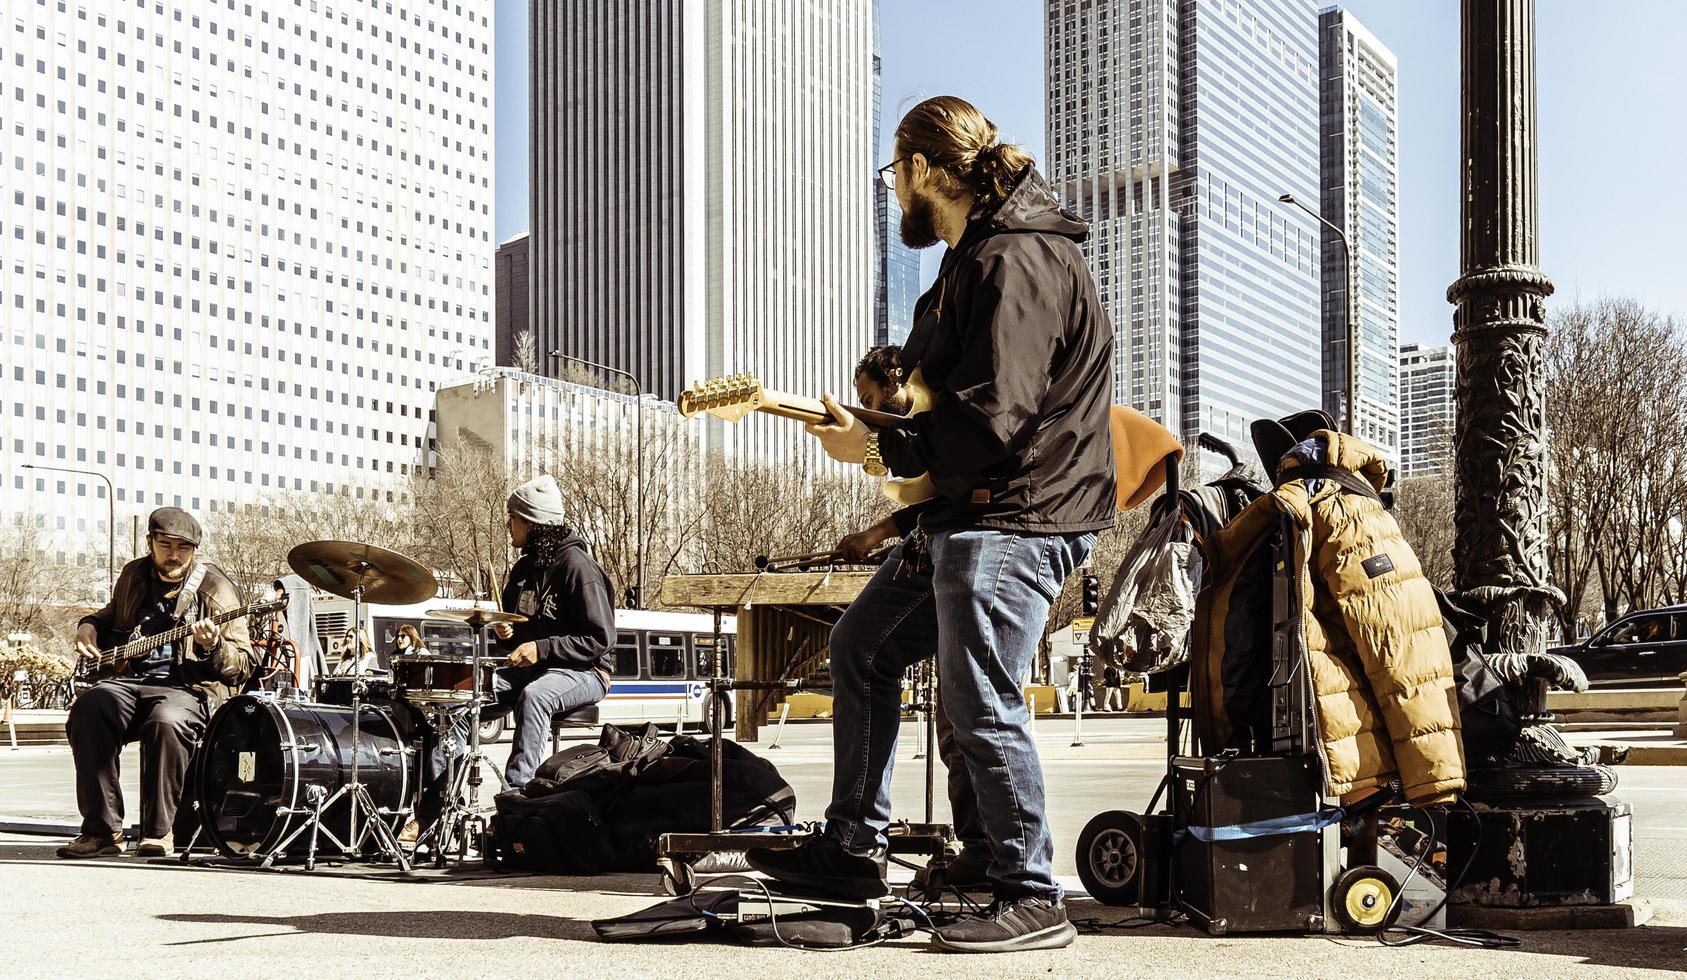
(569, 608)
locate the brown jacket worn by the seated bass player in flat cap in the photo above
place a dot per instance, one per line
(215, 674)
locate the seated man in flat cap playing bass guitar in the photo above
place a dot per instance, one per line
(161, 701)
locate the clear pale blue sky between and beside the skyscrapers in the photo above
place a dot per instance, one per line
(1610, 127)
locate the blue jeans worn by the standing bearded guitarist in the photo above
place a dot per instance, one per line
(981, 610)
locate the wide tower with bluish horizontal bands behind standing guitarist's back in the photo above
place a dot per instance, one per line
(1175, 126)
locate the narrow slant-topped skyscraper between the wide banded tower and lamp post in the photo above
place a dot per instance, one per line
(1361, 163)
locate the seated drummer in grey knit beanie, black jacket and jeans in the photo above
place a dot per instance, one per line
(559, 659)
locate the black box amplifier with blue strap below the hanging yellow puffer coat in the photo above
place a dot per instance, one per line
(1254, 885)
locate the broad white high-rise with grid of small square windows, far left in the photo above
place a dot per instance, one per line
(242, 247)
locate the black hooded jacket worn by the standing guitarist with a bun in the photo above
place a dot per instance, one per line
(1020, 357)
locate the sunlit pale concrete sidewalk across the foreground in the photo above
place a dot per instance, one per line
(166, 920)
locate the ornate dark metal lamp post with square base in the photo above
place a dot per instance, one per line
(1553, 834)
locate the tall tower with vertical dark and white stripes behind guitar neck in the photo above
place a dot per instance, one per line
(701, 202)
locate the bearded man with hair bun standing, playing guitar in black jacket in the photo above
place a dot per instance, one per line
(1018, 353)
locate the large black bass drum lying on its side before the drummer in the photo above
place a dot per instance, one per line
(264, 760)
